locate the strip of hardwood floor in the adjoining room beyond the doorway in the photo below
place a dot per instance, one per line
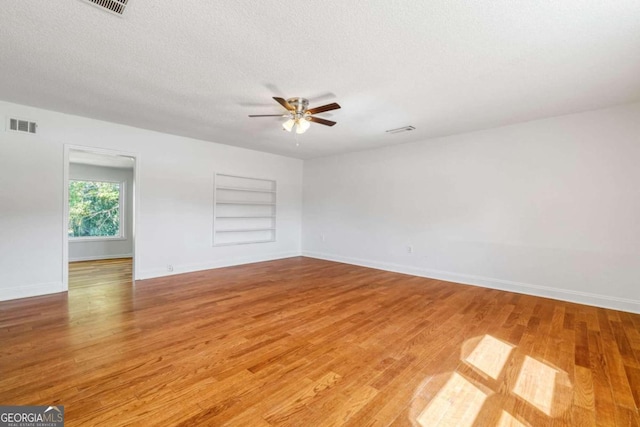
(100, 272)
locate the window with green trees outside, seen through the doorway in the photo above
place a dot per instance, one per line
(96, 209)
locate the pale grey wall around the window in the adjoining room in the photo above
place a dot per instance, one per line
(82, 250)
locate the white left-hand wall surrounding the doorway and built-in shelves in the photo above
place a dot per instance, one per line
(175, 187)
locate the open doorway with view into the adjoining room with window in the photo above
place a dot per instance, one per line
(99, 218)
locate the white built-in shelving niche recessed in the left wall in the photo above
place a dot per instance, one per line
(244, 210)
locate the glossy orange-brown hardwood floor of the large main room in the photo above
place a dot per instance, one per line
(305, 342)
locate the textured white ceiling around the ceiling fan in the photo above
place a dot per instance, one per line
(198, 68)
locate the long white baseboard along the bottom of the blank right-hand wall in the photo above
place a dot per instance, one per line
(605, 301)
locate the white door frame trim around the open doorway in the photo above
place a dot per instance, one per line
(65, 205)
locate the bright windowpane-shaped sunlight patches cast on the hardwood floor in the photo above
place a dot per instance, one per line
(460, 398)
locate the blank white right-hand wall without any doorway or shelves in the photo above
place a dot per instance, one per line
(549, 207)
